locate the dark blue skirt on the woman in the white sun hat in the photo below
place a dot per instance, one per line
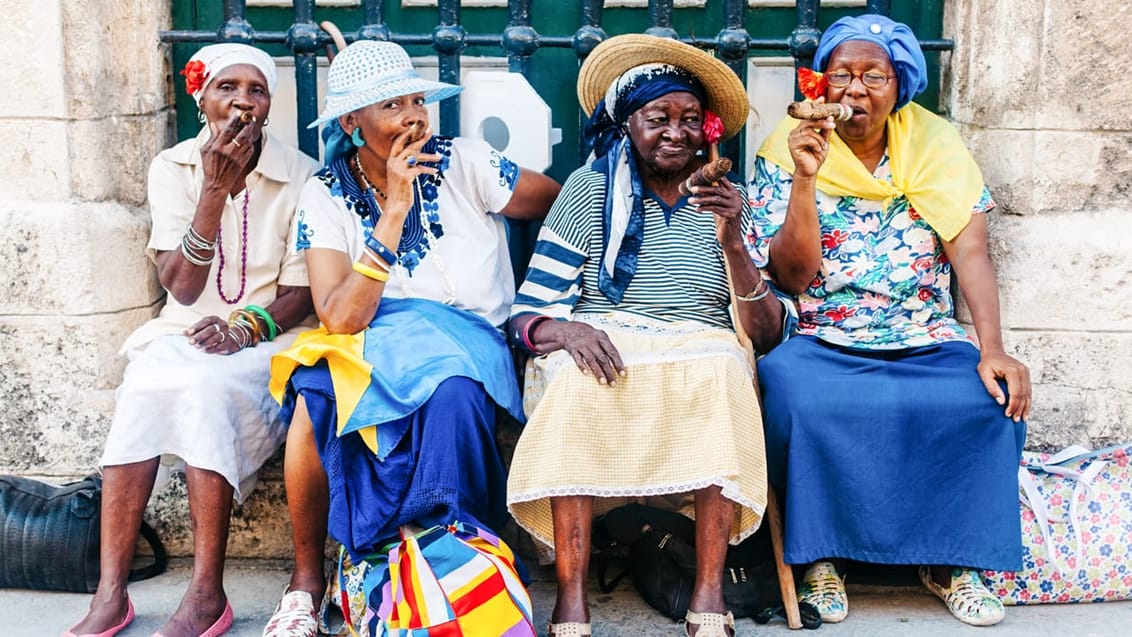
(444, 468)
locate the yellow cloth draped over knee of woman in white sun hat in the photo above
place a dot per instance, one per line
(349, 372)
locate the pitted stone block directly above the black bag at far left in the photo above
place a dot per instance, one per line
(59, 376)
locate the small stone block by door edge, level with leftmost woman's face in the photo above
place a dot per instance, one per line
(110, 158)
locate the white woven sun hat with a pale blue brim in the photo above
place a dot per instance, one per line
(370, 72)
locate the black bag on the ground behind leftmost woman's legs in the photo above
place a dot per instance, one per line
(49, 536)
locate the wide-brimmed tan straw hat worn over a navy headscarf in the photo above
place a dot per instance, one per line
(726, 94)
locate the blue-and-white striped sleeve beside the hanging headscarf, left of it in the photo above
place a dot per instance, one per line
(554, 279)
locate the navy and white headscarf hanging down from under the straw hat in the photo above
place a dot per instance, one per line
(623, 222)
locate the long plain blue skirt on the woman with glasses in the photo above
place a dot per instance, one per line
(896, 458)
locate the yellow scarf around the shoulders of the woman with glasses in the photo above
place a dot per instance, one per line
(930, 165)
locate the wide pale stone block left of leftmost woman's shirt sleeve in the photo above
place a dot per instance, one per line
(76, 260)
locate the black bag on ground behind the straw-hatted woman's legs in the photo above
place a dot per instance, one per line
(658, 550)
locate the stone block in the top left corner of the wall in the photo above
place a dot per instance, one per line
(36, 75)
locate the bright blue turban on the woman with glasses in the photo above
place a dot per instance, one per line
(897, 40)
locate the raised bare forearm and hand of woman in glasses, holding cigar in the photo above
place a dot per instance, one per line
(796, 251)
